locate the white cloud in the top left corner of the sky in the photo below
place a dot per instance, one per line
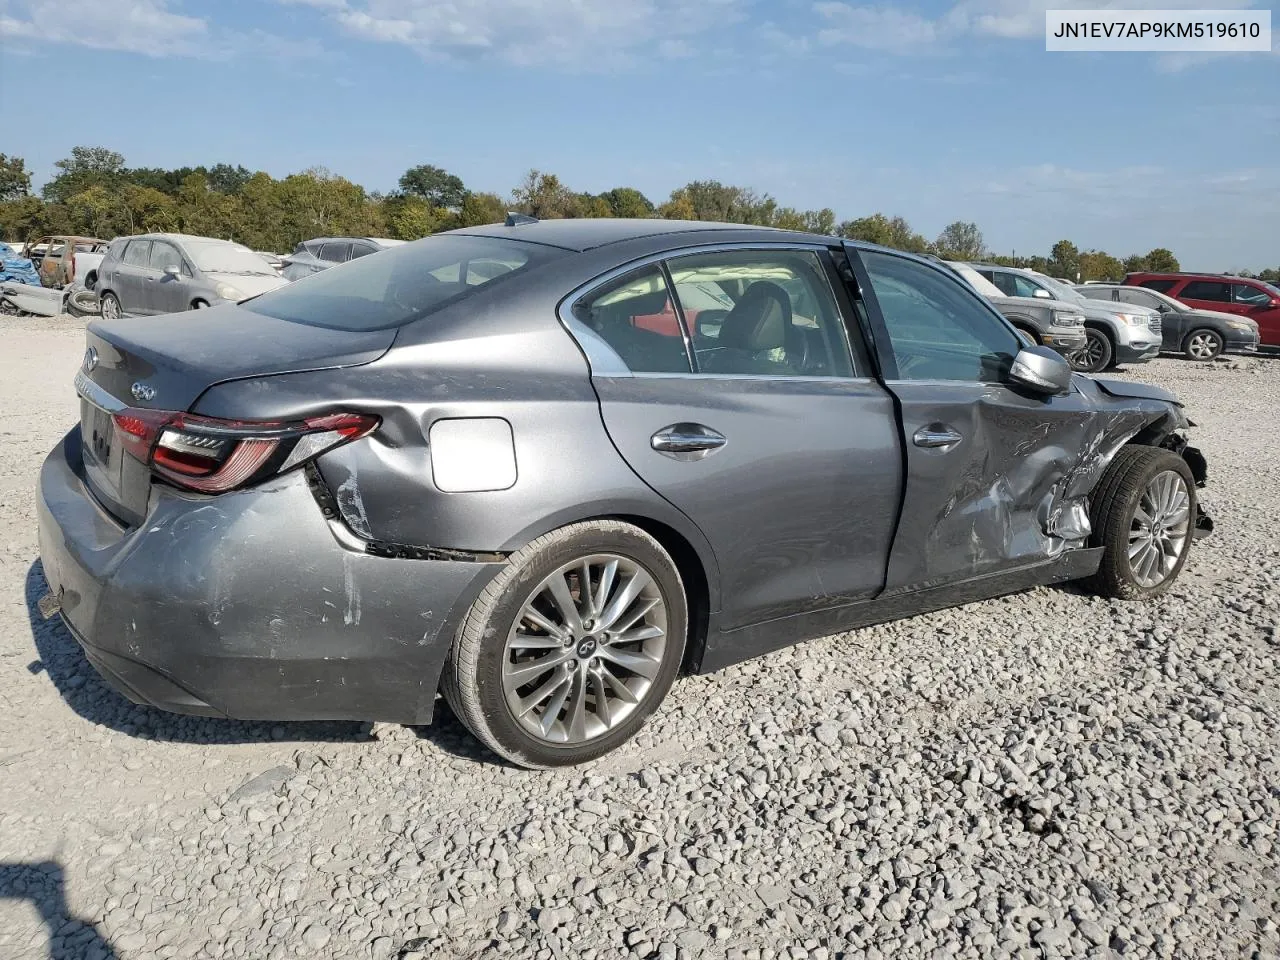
(134, 26)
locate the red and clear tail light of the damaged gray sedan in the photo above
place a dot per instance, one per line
(214, 456)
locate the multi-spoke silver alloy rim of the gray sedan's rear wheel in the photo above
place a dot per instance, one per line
(586, 650)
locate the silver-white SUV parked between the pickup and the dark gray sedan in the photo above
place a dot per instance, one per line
(1114, 335)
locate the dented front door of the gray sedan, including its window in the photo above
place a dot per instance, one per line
(986, 465)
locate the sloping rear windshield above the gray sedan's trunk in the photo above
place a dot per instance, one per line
(399, 286)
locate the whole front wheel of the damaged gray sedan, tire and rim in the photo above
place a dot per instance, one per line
(1137, 484)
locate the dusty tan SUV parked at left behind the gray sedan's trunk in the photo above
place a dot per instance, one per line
(166, 273)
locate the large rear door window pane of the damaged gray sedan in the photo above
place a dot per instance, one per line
(762, 313)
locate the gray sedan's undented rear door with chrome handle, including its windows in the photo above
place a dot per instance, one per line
(762, 427)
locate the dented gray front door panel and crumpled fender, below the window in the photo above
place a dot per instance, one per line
(1016, 487)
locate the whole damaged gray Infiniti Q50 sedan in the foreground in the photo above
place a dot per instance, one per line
(545, 468)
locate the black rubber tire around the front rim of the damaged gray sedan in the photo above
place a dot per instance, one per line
(1114, 516)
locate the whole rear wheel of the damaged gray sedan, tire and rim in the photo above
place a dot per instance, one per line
(483, 680)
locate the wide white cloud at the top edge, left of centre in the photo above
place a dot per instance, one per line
(578, 34)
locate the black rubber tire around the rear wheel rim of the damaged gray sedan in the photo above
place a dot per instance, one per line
(473, 678)
